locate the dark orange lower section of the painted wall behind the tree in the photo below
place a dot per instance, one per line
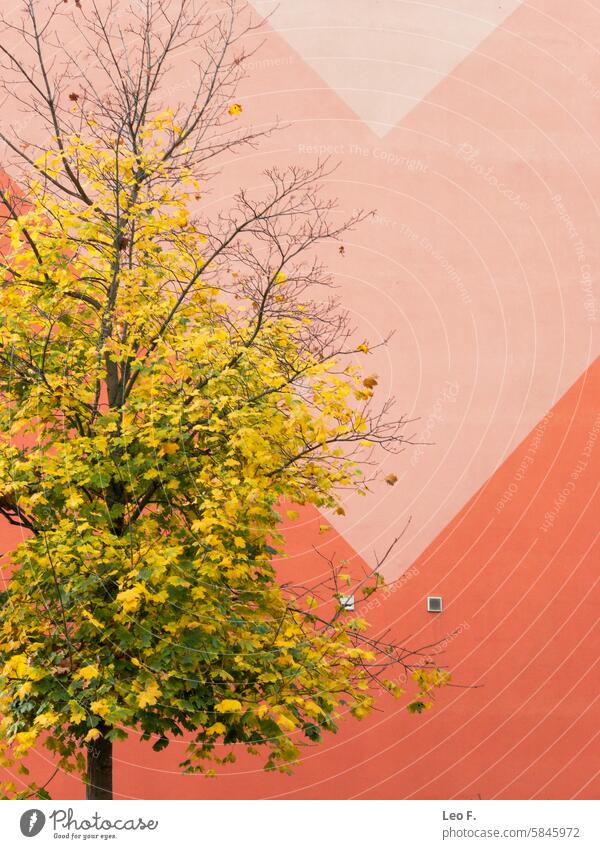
(521, 592)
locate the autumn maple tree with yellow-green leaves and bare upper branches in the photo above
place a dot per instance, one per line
(167, 384)
